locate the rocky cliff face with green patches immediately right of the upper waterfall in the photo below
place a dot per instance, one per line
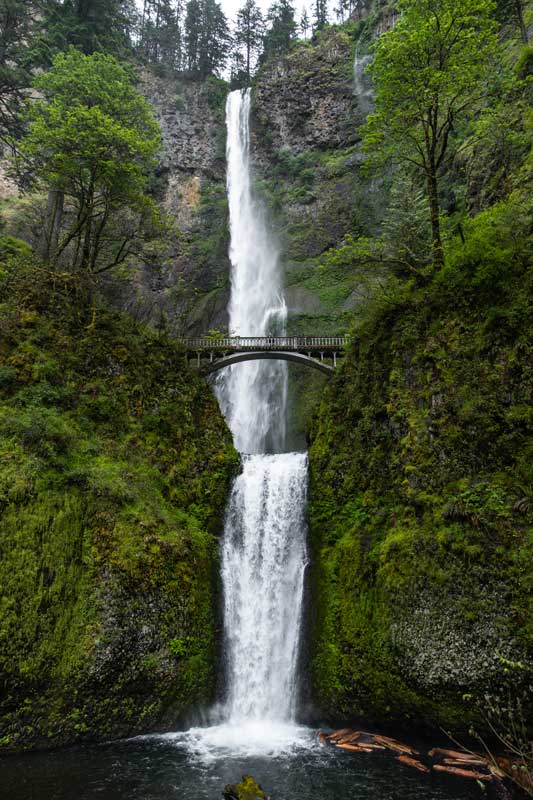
(307, 112)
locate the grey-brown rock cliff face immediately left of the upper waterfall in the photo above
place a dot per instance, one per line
(185, 283)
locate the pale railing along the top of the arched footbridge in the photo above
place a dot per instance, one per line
(266, 343)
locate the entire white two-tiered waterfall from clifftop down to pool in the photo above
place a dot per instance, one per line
(264, 550)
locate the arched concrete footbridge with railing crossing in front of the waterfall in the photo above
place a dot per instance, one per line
(212, 354)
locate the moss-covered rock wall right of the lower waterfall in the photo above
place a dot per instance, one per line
(420, 513)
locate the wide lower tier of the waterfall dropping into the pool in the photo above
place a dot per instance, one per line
(263, 562)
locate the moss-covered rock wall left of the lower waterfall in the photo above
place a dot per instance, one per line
(114, 471)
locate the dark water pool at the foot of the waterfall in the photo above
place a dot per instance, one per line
(168, 768)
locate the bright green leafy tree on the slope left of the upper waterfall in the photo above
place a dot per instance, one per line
(90, 142)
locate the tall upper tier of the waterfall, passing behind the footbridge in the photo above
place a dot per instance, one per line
(253, 396)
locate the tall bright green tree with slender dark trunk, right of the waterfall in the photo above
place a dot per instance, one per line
(429, 74)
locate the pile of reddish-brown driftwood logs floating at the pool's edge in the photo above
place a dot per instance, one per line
(465, 765)
